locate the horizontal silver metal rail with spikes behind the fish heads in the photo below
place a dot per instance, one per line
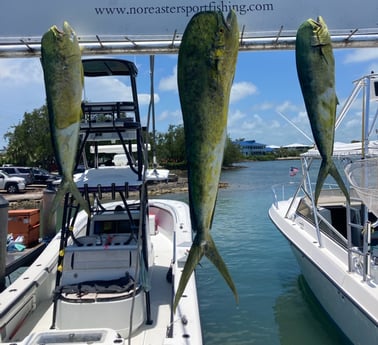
(11, 47)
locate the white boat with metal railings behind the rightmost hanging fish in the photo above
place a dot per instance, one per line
(334, 242)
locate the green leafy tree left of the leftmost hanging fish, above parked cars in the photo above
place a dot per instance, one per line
(29, 143)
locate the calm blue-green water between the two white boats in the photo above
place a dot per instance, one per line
(275, 304)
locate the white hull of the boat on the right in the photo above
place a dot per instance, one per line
(331, 283)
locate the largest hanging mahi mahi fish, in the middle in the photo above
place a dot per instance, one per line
(206, 67)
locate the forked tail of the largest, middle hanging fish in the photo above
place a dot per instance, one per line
(196, 253)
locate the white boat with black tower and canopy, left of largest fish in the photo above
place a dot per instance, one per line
(111, 277)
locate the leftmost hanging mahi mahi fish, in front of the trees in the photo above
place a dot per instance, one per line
(63, 74)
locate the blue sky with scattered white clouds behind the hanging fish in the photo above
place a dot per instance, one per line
(265, 86)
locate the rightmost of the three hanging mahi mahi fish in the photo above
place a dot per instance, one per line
(316, 73)
